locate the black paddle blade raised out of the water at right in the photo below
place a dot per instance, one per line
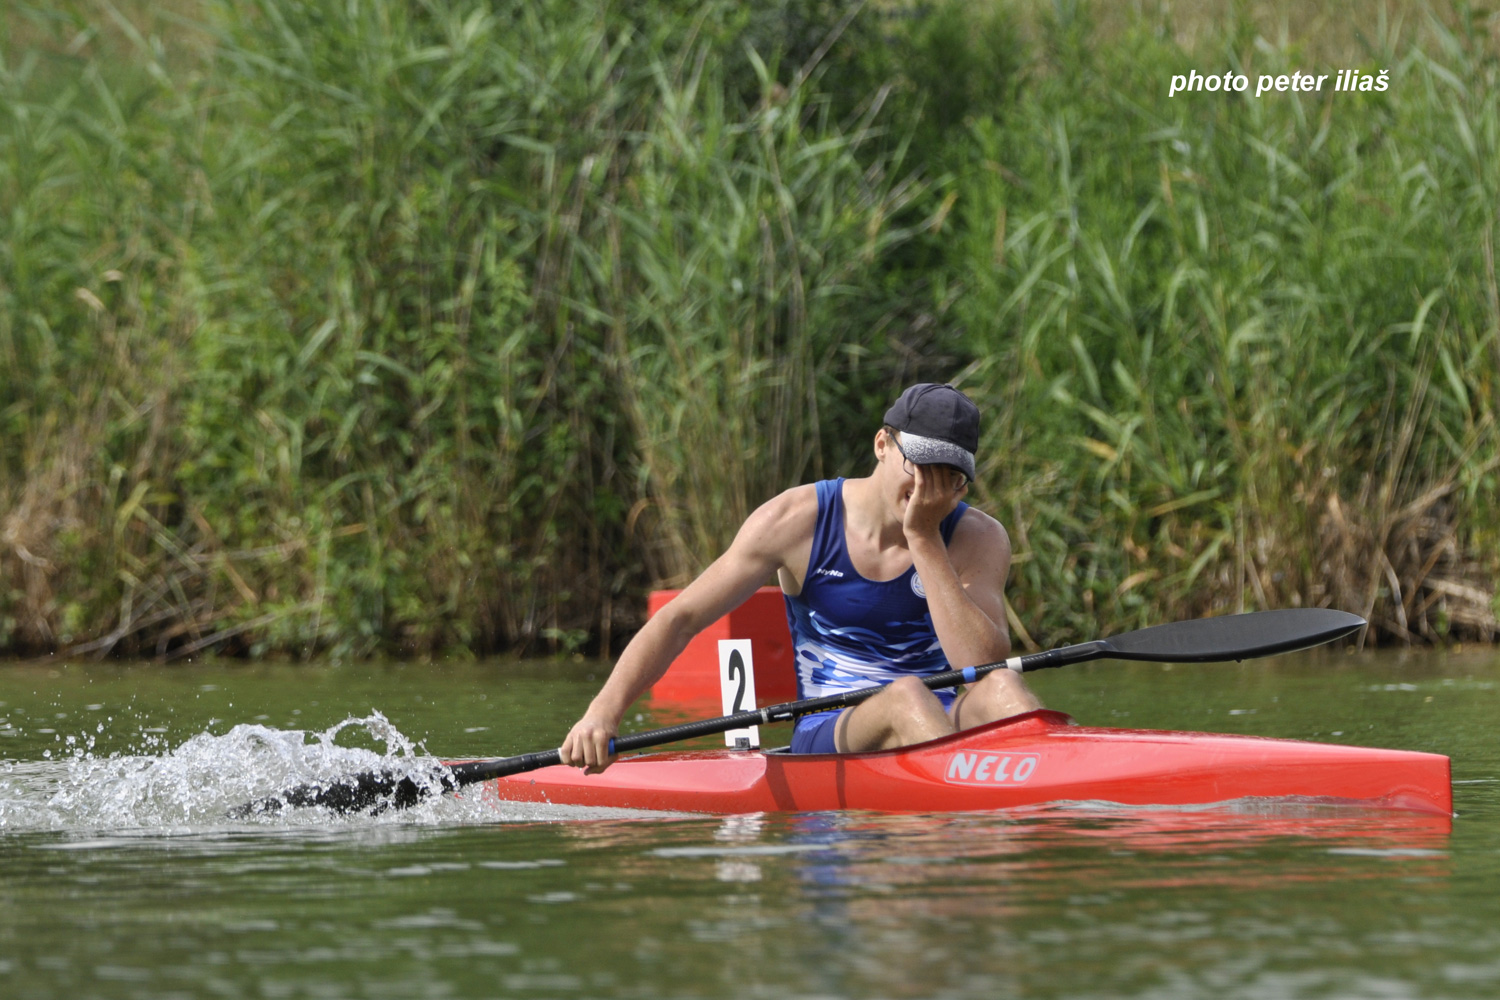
(1234, 636)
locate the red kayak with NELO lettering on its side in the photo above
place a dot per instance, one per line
(1028, 759)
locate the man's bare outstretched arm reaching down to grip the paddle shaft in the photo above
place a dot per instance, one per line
(760, 549)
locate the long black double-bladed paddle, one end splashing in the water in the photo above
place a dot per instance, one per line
(1202, 641)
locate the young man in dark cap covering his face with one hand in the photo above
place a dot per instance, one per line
(887, 578)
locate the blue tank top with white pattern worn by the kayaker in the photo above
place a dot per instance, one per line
(854, 633)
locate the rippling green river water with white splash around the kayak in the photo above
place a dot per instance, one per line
(121, 876)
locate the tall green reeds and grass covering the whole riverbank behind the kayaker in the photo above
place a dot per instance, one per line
(418, 328)
